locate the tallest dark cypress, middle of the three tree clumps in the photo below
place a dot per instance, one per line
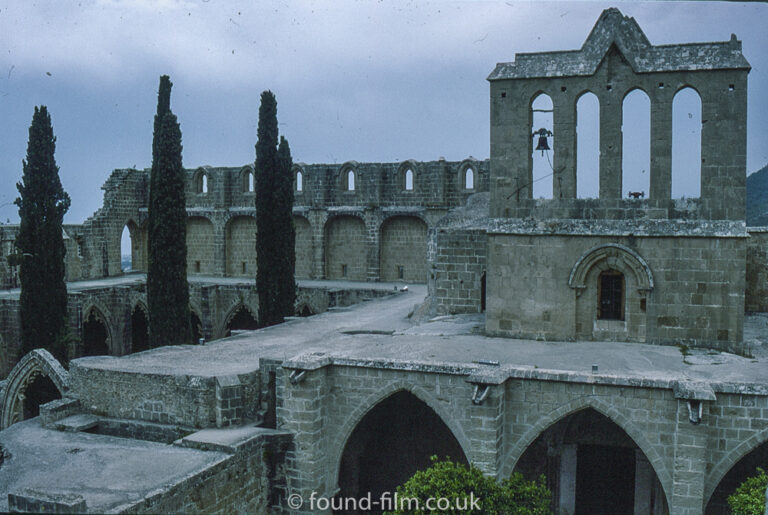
(167, 288)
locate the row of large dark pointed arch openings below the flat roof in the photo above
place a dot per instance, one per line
(591, 464)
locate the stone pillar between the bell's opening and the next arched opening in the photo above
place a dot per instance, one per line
(564, 137)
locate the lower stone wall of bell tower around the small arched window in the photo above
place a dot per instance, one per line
(693, 297)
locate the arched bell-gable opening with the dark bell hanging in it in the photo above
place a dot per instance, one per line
(542, 120)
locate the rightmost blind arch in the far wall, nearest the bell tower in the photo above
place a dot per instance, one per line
(403, 254)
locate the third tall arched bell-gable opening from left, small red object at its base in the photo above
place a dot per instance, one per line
(636, 144)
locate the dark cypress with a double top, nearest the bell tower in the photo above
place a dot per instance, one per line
(275, 243)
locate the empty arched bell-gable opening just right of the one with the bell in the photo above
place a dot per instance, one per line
(588, 146)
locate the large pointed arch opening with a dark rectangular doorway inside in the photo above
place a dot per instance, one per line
(593, 466)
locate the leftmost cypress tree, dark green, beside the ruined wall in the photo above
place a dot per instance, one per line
(42, 204)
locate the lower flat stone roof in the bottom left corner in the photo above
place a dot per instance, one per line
(108, 472)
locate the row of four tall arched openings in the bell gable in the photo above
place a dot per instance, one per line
(636, 145)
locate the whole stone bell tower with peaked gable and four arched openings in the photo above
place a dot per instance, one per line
(694, 248)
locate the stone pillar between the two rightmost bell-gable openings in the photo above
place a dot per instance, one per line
(661, 145)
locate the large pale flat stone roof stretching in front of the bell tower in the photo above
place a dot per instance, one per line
(379, 333)
